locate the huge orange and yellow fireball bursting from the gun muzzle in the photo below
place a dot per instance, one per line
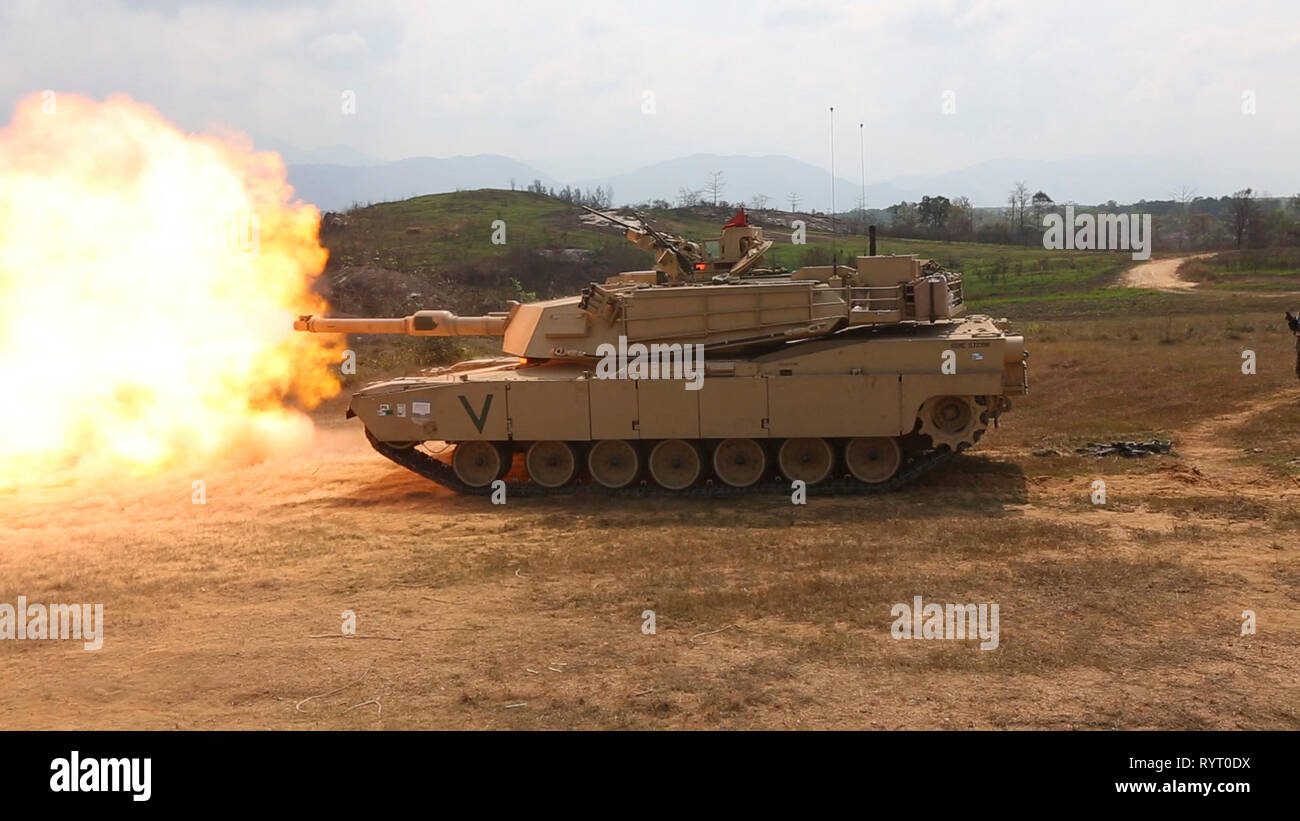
(149, 281)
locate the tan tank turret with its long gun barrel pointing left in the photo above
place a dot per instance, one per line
(721, 316)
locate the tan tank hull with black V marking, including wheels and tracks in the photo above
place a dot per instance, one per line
(877, 386)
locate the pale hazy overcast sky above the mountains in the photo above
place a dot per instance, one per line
(562, 85)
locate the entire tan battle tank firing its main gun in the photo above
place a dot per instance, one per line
(848, 379)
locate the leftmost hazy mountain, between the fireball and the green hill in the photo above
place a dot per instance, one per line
(336, 186)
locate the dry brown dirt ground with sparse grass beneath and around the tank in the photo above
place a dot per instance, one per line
(768, 615)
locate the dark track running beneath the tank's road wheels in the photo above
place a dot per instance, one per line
(436, 471)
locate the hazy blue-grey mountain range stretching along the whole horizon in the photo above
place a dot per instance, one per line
(1090, 181)
